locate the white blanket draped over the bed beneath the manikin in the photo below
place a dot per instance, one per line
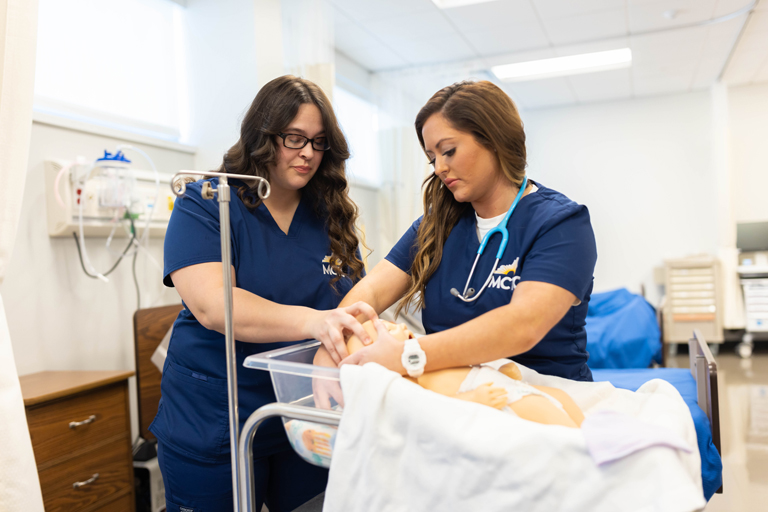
(403, 448)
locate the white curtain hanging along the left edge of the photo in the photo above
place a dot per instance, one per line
(19, 484)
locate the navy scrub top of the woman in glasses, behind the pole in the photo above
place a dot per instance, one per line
(192, 416)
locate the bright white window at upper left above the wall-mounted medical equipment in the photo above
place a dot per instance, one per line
(116, 63)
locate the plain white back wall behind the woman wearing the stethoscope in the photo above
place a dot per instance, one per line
(643, 168)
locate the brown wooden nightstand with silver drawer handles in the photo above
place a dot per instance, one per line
(81, 435)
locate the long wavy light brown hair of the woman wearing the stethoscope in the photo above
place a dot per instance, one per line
(483, 110)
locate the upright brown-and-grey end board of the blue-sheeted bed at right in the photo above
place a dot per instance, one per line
(704, 371)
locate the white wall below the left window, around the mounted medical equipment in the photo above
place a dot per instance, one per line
(59, 318)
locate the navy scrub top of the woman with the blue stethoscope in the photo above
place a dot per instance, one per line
(550, 241)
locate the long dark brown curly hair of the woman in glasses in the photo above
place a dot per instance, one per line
(273, 109)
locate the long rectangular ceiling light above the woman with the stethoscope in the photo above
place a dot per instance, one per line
(563, 66)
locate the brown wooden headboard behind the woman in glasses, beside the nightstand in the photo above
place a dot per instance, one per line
(149, 328)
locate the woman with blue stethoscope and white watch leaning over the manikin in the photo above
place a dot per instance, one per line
(501, 266)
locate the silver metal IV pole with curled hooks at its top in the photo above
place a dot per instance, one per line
(179, 187)
